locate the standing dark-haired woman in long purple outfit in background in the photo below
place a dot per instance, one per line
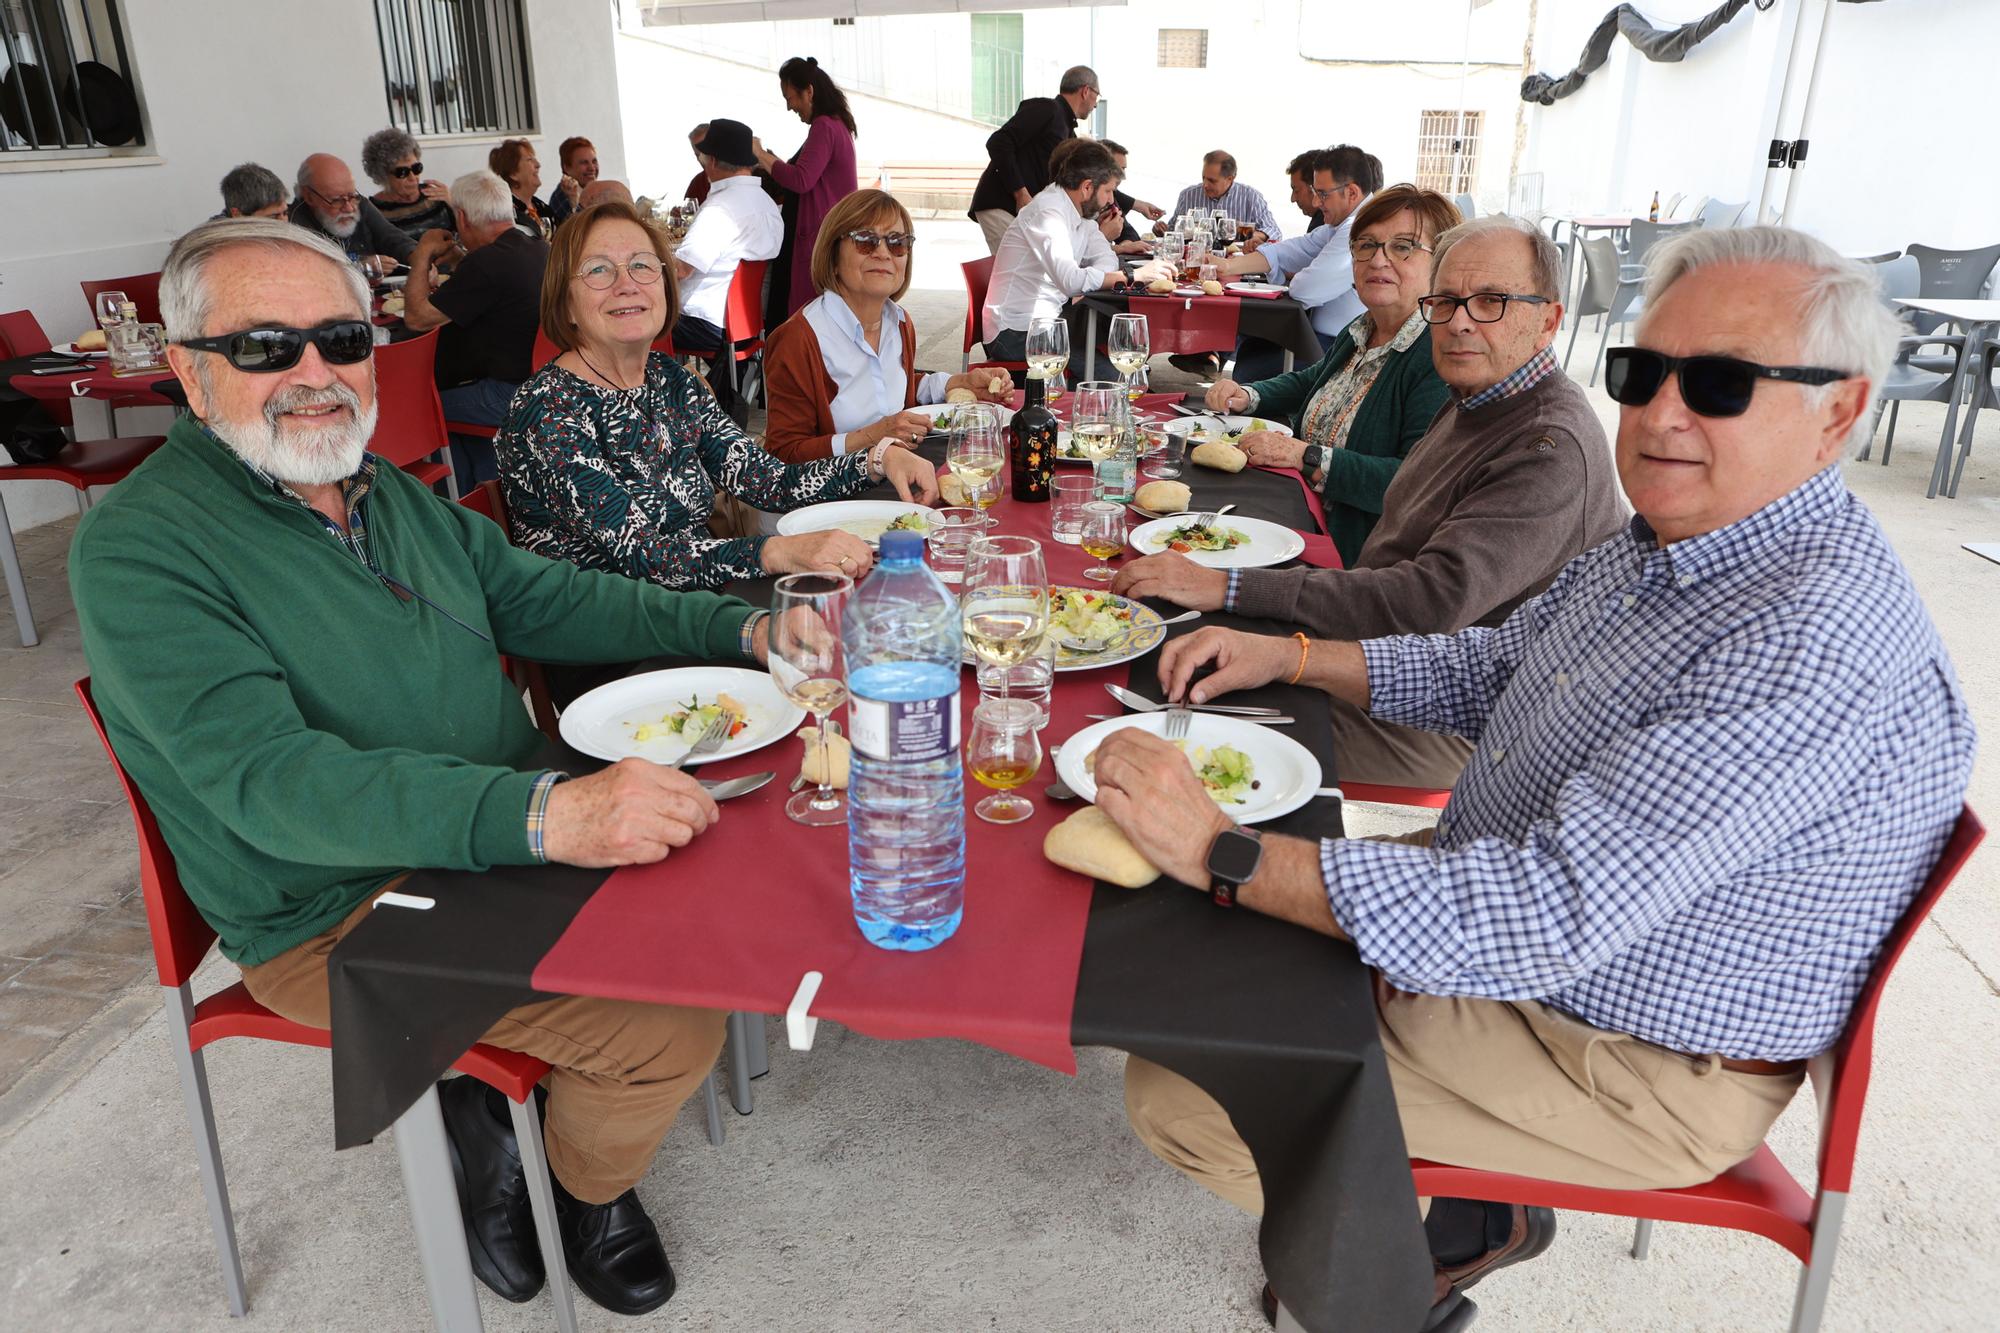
(819, 177)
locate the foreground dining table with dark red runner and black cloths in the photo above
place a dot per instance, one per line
(1275, 1022)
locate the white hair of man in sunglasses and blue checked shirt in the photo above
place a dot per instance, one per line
(1843, 321)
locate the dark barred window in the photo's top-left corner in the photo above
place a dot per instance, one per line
(67, 85)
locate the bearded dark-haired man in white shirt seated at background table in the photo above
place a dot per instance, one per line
(1053, 253)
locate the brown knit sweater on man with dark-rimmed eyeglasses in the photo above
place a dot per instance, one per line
(1481, 517)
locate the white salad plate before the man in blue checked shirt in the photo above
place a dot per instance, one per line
(1253, 774)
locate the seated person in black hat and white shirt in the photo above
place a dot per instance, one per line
(739, 223)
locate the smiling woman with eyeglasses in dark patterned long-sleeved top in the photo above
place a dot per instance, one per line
(613, 455)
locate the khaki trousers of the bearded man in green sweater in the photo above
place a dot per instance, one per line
(621, 1070)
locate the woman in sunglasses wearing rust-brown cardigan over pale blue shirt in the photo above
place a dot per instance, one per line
(843, 371)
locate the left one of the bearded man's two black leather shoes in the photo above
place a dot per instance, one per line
(493, 1194)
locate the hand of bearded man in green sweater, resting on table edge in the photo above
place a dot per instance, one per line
(633, 814)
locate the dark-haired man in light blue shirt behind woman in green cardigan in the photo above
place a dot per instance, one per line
(1317, 265)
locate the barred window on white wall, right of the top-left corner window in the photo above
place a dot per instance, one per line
(457, 67)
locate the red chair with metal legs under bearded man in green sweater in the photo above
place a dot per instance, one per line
(181, 940)
